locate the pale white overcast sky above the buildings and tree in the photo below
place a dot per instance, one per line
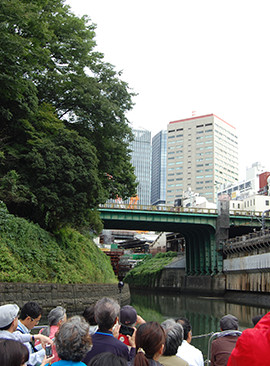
(180, 56)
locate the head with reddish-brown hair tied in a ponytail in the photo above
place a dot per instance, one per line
(150, 341)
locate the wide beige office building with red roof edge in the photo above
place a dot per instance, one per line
(202, 154)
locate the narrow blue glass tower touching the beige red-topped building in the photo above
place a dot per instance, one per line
(158, 174)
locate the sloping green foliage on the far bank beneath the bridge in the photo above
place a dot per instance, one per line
(147, 272)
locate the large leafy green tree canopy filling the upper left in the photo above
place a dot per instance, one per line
(64, 140)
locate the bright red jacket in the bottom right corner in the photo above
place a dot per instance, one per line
(253, 346)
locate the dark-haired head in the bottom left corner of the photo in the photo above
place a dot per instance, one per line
(13, 353)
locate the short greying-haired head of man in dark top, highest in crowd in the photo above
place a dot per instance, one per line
(106, 313)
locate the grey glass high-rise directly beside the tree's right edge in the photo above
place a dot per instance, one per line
(141, 160)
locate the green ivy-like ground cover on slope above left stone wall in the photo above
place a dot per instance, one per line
(30, 254)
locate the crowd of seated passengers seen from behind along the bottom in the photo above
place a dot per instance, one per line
(107, 335)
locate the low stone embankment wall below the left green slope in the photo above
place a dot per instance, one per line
(74, 297)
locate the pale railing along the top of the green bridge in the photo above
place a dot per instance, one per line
(196, 210)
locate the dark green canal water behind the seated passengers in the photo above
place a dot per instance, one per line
(203, 312)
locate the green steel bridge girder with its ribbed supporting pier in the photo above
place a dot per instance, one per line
(203, 256)
